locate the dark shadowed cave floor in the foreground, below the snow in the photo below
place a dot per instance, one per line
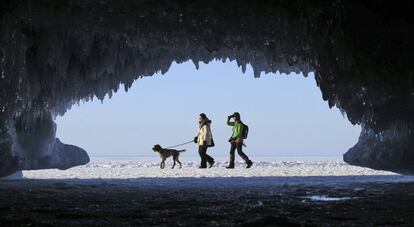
(60, 203)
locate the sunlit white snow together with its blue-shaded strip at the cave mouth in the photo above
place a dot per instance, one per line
(261, 173)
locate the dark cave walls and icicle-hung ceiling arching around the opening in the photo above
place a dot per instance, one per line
(55, 53)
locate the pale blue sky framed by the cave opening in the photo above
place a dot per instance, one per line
(285, 113)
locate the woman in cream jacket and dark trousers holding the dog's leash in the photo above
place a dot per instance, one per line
(204, 139)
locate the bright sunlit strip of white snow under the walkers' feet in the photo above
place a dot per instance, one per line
(136, 169)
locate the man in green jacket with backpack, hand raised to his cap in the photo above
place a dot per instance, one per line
(236, 140)
